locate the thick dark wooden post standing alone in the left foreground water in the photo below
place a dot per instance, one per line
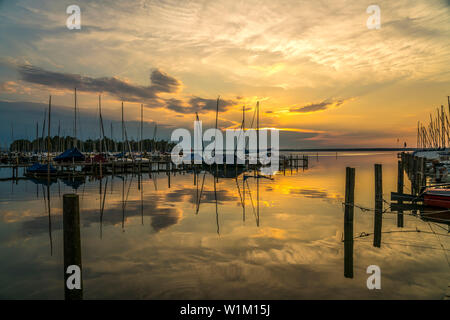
(72, 247)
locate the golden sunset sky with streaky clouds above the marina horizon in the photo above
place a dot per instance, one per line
(320, 74)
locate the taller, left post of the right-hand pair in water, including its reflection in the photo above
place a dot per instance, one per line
(348, 221)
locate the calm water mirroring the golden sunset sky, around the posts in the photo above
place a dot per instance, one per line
(151, 244)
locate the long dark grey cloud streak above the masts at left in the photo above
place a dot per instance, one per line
(160, 82)
